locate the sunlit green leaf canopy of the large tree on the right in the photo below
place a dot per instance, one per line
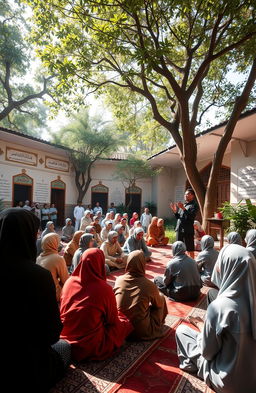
(131, 44)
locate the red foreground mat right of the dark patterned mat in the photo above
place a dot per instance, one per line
(161, 367)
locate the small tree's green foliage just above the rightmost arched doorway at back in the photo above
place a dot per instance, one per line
(133, 169)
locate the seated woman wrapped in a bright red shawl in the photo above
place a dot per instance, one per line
(91, 323)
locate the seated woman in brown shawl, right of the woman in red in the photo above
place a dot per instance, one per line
(139, 299)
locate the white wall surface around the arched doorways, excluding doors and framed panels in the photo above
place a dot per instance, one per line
(103, 171)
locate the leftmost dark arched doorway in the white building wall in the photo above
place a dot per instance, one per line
(22, 188)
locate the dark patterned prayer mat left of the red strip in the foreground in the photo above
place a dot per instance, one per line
(106, 376)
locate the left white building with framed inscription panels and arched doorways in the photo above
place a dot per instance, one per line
(40, 171)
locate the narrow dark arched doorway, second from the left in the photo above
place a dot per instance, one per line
(58, 191)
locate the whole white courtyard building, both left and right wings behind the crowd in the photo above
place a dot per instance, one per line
(40, 171)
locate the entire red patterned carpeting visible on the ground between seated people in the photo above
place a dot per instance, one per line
(141, 367)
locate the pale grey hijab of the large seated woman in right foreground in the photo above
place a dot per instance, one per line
(237, 278)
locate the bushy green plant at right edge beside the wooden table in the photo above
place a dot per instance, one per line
(241, 216)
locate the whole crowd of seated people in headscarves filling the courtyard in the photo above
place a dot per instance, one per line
(72, 313)
